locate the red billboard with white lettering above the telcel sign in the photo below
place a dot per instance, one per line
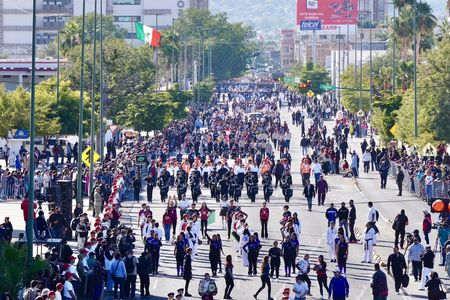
(328, 12)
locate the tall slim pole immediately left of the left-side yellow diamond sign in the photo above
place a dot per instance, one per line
(80, 115)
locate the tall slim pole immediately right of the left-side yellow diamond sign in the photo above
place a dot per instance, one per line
(91, 156)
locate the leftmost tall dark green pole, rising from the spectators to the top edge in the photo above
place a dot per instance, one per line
(30, 207)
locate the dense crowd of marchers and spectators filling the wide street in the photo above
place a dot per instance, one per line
(233, 150)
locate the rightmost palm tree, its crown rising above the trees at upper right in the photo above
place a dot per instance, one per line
(425, 22)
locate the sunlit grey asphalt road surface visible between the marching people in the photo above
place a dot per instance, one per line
(312, 239)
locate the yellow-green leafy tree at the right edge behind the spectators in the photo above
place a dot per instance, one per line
(433, 102)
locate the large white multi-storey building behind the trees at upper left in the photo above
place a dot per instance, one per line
(16, 17)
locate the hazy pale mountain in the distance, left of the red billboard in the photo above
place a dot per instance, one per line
(268, 17)
